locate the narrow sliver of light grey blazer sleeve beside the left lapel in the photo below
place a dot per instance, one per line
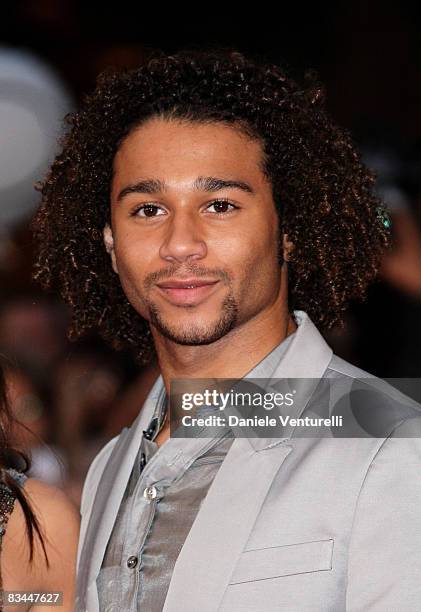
(90, 487)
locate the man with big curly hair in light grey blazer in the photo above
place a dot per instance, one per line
(206, 209)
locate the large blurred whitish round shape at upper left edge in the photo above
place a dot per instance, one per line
(33, 103)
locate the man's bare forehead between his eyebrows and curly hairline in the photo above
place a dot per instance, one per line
(188, 154)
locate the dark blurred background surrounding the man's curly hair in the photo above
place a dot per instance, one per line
(70, 398)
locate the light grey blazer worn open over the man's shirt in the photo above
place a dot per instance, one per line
(289, 524)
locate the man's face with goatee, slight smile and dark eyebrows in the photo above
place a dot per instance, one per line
(194, 229)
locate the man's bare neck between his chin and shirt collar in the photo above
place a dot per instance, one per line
(230, 357)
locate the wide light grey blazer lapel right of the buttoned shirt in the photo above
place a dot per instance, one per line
(222, 526)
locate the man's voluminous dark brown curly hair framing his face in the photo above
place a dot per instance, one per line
(323, 192)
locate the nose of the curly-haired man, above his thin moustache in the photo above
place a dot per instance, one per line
(183, 240)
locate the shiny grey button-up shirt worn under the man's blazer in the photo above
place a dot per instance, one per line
(163, 496)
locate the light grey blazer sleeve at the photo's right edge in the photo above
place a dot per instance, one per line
(384, 565)
